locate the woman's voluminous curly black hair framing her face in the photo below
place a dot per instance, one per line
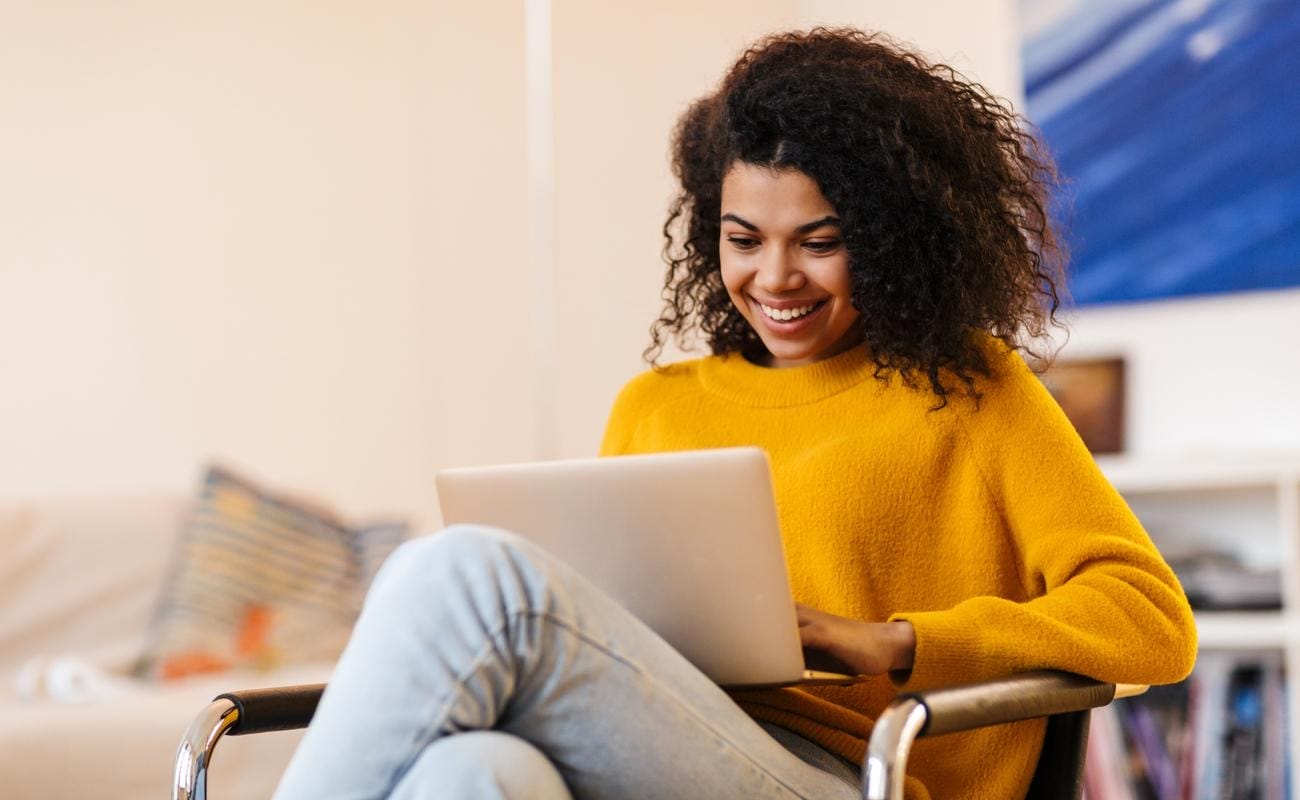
(943, 194)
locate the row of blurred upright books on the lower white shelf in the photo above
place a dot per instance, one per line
(1219, 736)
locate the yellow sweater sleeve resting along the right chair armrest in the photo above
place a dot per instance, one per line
(1103, 602)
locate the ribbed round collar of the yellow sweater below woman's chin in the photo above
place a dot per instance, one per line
(749, 384)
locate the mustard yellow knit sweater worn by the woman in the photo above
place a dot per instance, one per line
(990, 529)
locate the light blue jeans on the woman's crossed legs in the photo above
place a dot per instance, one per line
(483, 668)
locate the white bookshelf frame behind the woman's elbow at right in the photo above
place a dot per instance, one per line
(1251, 509)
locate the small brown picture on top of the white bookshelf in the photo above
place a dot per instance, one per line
(1091, 392)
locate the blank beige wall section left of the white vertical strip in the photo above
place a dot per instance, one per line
(288, 235)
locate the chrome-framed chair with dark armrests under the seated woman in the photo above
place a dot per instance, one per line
(1064, 699)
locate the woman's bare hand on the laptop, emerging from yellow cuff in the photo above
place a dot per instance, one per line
(868, 648)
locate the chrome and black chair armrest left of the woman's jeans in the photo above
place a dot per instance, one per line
(239, 713)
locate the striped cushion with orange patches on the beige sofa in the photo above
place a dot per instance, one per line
(261, 581)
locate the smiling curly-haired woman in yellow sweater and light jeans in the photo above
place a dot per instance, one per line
(863, 241)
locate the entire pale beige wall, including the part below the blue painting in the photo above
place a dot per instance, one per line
(298, 237)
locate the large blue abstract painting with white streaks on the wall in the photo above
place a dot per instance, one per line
(1177, 127)
